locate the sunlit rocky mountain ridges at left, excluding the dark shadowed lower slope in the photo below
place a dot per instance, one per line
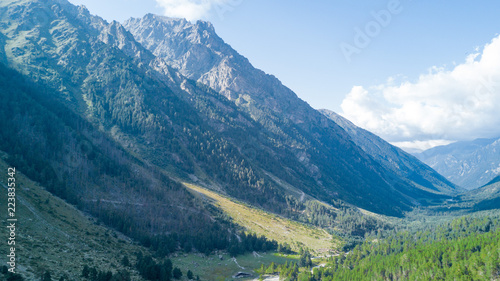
(153, 111)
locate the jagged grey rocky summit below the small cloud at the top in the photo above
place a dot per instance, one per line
(200, 54)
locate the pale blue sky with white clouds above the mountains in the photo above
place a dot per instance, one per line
(304, 44)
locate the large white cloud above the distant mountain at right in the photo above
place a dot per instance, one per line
(443, 105)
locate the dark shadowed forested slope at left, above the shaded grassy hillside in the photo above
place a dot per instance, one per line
(57, 148)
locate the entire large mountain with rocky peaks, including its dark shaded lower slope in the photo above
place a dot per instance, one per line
(257, 142)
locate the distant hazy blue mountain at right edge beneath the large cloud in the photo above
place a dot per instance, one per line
(469, 164)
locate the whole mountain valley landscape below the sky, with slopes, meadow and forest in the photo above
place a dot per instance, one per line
(152, 150)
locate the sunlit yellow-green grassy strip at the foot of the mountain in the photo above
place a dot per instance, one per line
(269, 225)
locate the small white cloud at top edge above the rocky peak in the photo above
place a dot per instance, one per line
(196, 9)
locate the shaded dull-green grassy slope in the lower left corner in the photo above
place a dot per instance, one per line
(53, 235)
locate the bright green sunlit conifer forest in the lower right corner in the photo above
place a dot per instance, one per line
(466, 248)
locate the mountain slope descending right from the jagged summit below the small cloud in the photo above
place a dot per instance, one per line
(324, 149)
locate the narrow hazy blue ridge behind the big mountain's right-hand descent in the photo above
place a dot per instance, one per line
(403, 164)
